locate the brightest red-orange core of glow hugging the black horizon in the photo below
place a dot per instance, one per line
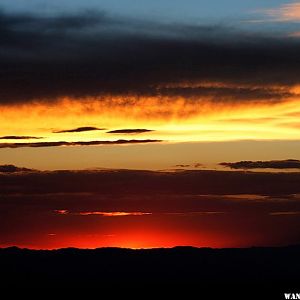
(133, 240)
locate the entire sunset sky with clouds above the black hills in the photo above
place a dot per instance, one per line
(108, 90)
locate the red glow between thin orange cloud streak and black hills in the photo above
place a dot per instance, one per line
(143, 231)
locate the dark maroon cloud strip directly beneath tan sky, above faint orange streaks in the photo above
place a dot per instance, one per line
(127, 182)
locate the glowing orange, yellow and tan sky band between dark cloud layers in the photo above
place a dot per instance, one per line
(177, 122)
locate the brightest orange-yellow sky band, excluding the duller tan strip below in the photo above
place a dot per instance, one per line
(173, 119)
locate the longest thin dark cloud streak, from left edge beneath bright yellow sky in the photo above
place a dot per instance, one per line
(80, 143)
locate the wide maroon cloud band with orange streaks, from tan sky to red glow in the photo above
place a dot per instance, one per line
(115, 192)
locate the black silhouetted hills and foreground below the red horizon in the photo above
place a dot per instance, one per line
(274, 267)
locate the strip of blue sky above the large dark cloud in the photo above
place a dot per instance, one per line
(172, 10)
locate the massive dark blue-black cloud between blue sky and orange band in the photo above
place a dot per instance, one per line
(94, 54)
